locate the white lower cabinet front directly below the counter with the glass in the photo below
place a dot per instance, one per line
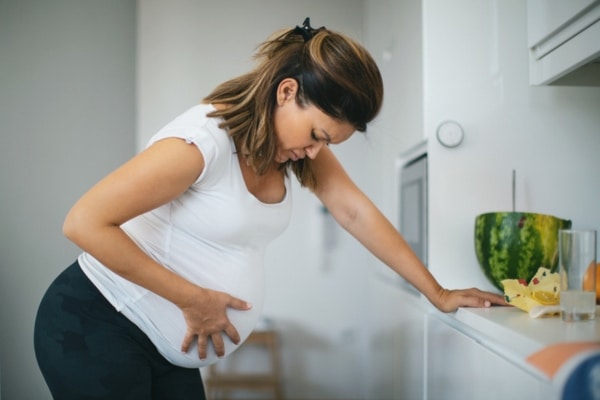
(457, 367)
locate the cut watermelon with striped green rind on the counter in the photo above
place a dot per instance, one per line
(513, 245)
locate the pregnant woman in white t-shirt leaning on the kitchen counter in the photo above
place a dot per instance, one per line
(171, 274)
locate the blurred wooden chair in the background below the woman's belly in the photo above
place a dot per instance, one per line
(222, 381)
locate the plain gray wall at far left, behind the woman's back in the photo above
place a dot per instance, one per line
(67, 117)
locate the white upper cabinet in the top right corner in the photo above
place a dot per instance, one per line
(564, 42)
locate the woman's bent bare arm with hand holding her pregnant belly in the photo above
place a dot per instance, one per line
(154, 177)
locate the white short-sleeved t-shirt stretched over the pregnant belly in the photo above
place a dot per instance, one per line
(214, 235)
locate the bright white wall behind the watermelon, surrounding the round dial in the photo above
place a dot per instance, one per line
(478, 75)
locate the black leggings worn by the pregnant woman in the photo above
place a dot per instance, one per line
(88, 350)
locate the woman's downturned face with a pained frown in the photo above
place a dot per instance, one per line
(303, 131)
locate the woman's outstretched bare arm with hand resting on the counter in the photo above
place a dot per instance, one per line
(361, 218)
